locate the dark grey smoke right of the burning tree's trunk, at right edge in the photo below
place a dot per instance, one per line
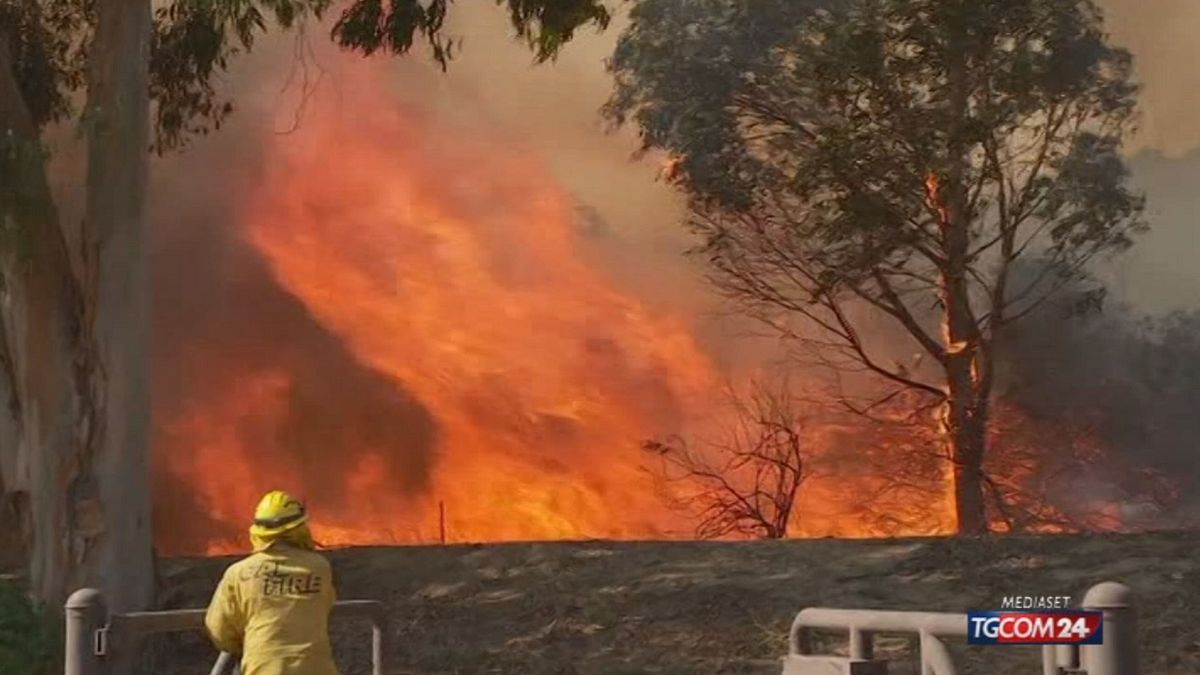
(1120, 383)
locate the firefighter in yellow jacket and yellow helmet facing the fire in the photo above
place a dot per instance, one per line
(273, 608)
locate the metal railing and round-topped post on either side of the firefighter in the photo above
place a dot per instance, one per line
(97, 640)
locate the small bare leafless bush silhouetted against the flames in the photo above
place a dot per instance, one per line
(747, 482)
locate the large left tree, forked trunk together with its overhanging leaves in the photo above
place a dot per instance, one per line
(75, 314)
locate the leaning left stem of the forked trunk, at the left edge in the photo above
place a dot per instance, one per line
(45, 431)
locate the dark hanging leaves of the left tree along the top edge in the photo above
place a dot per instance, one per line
(195, 40)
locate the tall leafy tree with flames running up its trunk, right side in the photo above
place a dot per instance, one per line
(890, 162)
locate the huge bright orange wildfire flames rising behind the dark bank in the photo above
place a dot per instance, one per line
(454, 270)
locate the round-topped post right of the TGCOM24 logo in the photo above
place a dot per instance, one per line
(1119, 653)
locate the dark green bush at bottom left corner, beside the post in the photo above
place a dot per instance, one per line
(31, 643)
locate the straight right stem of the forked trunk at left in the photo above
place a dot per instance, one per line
(117, 288)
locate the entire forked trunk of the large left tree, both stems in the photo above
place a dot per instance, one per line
(75, 349)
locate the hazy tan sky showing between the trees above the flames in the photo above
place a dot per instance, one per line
(553, 111)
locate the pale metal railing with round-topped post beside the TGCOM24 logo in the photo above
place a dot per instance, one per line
(1117, 656)
